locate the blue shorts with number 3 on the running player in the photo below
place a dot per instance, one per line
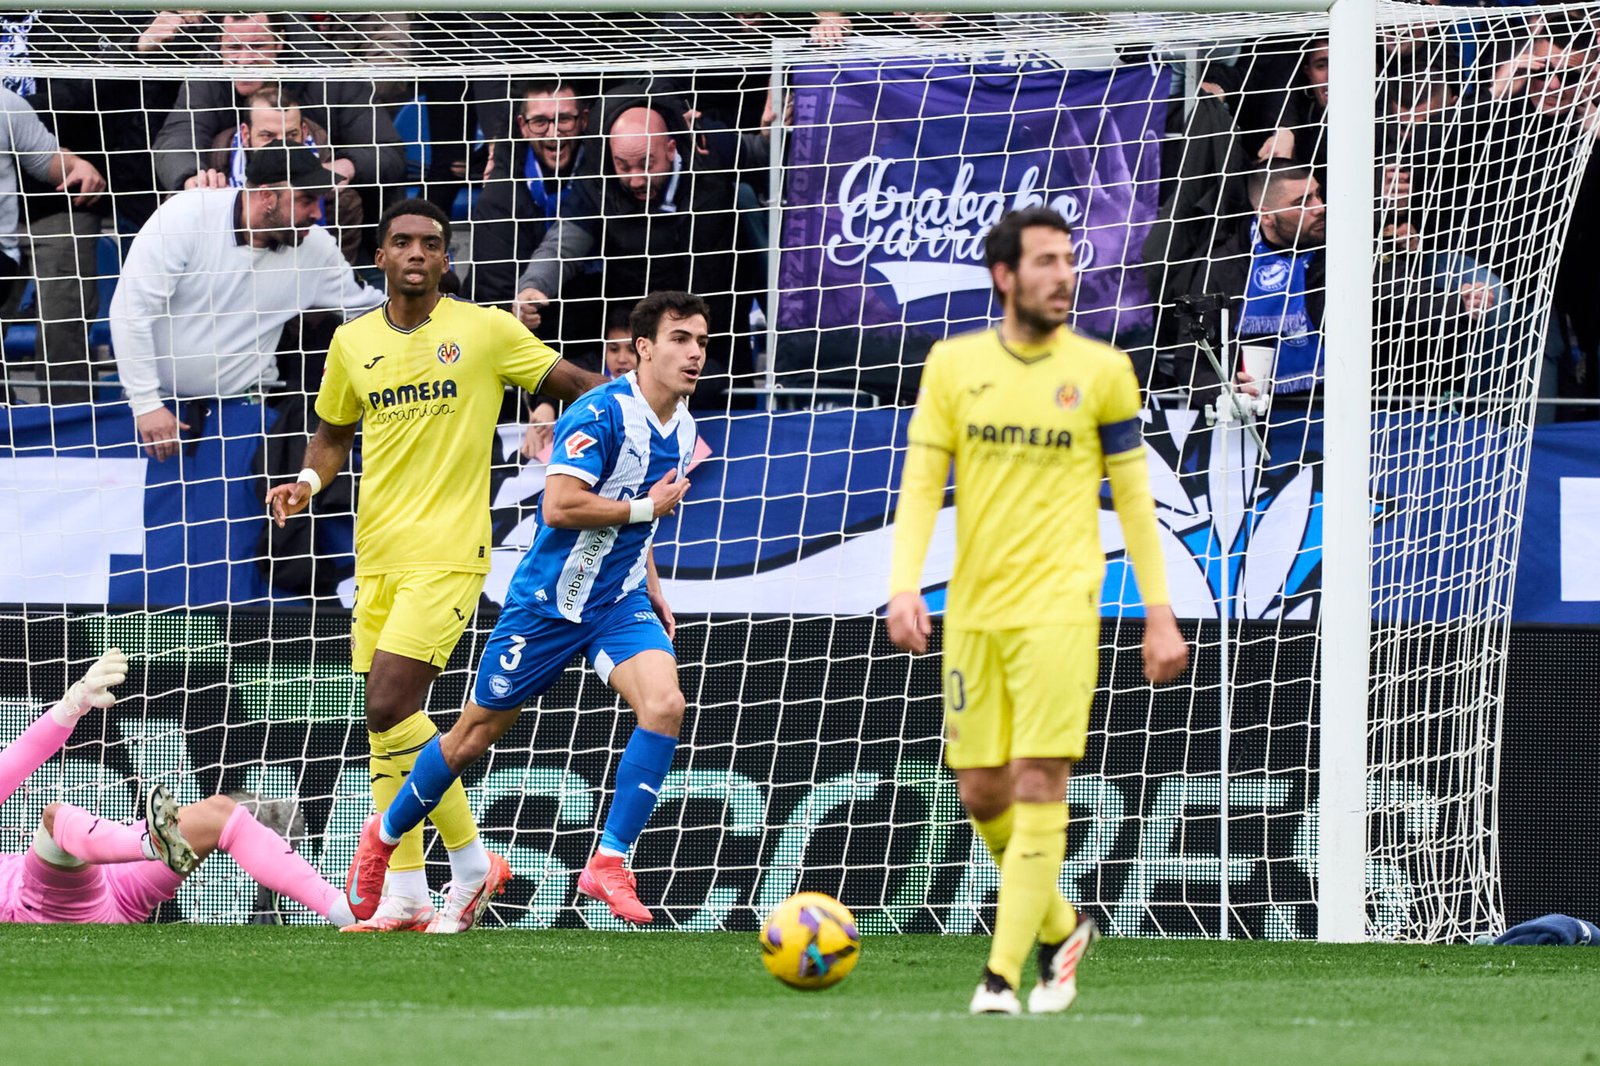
(527, 652)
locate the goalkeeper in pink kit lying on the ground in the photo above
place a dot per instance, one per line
(86, 868)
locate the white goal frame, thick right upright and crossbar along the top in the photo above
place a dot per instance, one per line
(1346, 587)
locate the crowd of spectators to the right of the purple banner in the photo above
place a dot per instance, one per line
(1479, 137)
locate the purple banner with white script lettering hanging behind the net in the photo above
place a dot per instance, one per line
(898, 169)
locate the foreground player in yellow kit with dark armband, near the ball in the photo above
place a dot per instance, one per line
(1033, 417)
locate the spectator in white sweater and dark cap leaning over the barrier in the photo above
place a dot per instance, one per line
(214, 278)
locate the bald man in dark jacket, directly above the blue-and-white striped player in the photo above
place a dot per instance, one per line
(652, 209)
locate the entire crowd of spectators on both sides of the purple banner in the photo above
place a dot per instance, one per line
(580, 198)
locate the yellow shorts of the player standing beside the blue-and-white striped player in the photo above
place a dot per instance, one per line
(417, 614)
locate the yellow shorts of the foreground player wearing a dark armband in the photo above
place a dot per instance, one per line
(1018, 694)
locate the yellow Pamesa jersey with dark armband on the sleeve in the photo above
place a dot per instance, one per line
(1030, 433)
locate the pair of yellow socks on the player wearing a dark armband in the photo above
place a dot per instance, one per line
(1031, 905)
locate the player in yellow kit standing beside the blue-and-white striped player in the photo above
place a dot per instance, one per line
(426, 375)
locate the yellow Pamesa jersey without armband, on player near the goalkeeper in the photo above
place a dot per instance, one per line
(430, 399)
